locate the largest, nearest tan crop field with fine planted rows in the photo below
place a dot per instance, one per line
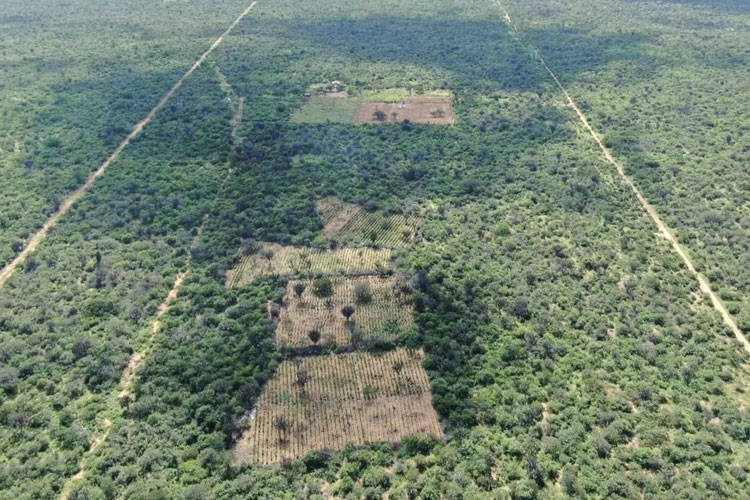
(358, 398)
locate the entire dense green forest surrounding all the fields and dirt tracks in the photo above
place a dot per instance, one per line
(570, 352)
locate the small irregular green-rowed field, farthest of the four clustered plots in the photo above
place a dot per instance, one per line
(350, 223)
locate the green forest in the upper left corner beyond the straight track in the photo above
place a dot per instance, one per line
(75, 78)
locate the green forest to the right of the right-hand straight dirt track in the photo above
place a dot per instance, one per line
(667, 94)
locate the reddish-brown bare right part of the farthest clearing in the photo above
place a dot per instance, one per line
(428, 110)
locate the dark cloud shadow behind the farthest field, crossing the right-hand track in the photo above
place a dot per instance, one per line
(479, 55)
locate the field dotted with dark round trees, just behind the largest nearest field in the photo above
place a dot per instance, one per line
(381, 318)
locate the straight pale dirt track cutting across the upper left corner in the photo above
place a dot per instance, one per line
(76, 195)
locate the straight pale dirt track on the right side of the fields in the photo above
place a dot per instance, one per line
(666, 232)
